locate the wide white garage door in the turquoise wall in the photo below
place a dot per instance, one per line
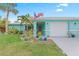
(58, 29)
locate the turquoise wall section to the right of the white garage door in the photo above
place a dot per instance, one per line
(74, 28)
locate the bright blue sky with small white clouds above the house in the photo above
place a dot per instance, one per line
(48, 9)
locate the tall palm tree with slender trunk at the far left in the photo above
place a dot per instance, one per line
(8, 7)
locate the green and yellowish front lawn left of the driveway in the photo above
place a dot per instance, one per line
(11, 45)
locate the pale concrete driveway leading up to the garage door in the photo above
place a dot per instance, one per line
(70, 46)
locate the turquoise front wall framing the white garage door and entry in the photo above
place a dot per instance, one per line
(72, 28)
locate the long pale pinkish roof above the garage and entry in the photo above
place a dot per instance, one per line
(56, 18)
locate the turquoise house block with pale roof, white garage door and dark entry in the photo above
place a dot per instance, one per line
(56, 26)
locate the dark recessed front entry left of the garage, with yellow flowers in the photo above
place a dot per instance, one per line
(40, 30)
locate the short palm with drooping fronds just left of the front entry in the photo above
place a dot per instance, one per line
(26, 19)
